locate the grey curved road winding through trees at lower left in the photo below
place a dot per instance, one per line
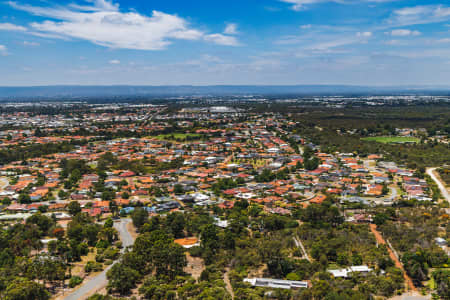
(99, 281)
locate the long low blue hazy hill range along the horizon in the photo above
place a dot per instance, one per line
(72, 91)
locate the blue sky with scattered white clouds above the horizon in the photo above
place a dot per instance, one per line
(235, 42)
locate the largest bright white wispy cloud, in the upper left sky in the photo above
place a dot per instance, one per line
(102, 23)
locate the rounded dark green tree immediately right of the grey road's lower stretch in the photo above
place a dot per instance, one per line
(122, 278)
